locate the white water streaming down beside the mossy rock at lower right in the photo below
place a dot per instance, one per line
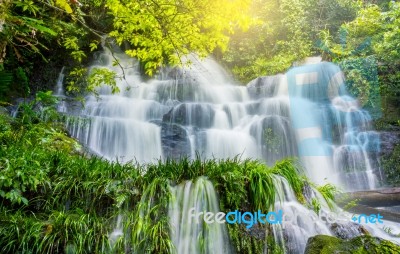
(300, 223)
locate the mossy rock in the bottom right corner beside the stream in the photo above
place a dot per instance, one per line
(324, 244)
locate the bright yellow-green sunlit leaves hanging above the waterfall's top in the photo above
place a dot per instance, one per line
(161, 32)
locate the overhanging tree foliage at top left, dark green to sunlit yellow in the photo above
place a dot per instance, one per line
(158, 32)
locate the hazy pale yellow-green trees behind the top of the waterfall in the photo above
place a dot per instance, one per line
(284, 32)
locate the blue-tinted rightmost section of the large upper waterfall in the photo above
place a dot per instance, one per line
(334, 135)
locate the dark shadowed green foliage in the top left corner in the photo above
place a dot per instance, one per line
(34, 31)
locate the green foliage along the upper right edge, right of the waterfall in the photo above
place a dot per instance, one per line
(366, 49)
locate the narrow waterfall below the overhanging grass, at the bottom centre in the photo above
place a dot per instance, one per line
(187, 235)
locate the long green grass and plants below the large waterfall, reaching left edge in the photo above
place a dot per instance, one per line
(56, 199)
